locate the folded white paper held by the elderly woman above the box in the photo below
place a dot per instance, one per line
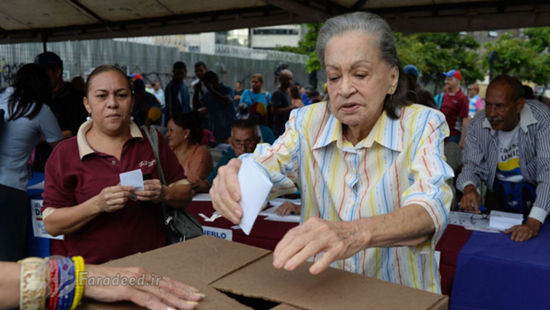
(255, 187)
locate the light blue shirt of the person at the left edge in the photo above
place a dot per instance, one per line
(19, 137)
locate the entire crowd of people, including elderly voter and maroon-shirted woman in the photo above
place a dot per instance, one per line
(370, 162)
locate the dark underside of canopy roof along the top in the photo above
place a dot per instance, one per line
(62, 20)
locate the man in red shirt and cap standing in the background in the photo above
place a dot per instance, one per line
(455, 106)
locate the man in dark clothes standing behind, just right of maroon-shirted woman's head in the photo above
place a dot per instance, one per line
(176, 93)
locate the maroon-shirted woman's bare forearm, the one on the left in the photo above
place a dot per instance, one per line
(68, 220)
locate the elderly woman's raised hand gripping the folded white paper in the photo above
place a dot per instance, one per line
(226, 193)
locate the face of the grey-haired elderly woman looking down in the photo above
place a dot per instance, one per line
(358, 79)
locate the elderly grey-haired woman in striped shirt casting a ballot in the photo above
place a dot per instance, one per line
(369, 165)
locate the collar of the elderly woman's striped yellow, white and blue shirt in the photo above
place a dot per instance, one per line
(386, 132)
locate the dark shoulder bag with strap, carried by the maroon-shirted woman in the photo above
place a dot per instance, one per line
(180, 224)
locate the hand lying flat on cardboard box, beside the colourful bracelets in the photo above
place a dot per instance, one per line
(153, 293)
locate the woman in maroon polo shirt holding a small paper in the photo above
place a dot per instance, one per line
(83, 197)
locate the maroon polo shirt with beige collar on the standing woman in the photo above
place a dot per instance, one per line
(75, 173)
